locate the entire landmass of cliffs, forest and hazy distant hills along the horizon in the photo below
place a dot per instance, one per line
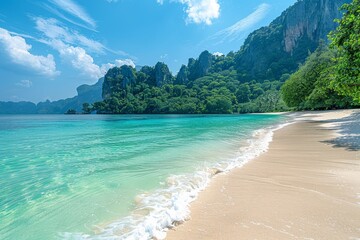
(287, 65)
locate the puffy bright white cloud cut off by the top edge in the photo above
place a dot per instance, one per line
(199, 11)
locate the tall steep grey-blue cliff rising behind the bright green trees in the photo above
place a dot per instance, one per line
(279, 48)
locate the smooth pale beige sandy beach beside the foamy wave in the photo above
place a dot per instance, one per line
(302, 188)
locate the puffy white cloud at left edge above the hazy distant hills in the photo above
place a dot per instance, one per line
(18, 51)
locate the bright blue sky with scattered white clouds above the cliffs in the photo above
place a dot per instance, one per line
(48, 48)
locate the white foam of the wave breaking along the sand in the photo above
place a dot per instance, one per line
(156, 212)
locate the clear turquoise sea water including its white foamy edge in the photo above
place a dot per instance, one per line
(113, 177)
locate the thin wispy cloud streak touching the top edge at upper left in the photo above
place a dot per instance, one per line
(74, 9)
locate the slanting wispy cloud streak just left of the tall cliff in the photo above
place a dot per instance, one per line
(234, 32)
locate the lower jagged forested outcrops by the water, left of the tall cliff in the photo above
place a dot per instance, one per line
(209, 84)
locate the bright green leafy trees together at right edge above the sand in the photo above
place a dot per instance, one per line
(330, 78)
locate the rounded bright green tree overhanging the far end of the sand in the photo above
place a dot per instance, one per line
(309, 87)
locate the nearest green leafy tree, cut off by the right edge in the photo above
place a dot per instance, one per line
(346, 39)
